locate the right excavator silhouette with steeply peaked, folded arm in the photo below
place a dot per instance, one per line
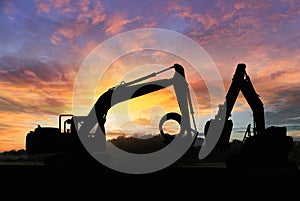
(261, 148)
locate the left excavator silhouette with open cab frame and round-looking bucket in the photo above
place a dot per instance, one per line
(78, 129)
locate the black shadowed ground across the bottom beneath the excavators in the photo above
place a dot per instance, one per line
(56, 174)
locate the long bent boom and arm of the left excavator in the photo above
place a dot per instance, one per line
(130, 90)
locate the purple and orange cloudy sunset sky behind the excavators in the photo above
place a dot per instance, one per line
(43, 43)
